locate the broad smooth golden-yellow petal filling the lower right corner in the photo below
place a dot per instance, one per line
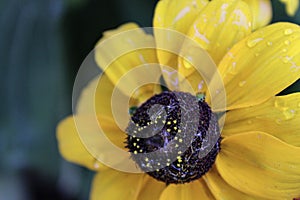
(261, 165)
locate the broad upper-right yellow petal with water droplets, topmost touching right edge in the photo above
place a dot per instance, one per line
(261, 65)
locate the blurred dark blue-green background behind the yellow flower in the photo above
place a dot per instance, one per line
(42, 45)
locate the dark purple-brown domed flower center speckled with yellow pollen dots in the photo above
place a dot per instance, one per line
(174, 137)
